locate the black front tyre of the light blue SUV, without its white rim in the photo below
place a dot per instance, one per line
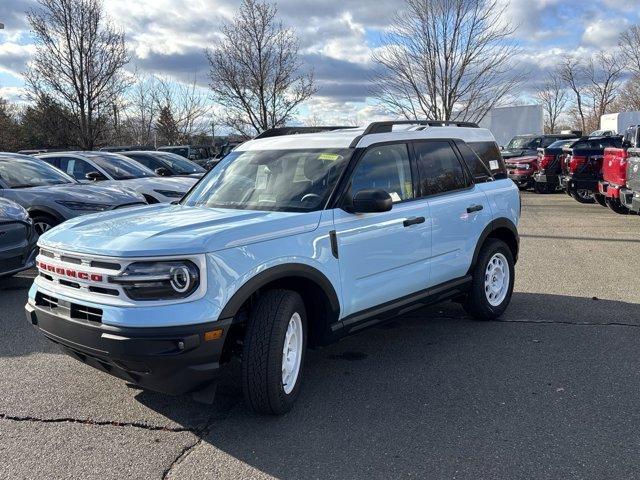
(262, 352)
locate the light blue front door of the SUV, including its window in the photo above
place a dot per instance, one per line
(383, 256)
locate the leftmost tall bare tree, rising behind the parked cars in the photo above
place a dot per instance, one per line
(78, 62)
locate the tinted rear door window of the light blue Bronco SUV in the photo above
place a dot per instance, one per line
(439, 168)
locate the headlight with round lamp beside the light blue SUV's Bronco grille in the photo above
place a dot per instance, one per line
(168, 280)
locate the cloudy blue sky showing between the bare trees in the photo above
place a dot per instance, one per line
(337, 36)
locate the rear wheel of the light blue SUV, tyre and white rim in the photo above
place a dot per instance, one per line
(492, 284)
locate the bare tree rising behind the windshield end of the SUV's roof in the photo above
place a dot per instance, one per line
(256, 70)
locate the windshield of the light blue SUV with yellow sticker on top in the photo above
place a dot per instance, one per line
(282, 180)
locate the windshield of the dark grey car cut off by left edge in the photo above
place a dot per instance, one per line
(31, 173)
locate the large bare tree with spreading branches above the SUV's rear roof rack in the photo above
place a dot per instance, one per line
(446, 60)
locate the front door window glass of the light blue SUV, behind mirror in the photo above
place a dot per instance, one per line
(386, 167)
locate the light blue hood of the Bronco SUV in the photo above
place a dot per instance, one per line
(166, 229)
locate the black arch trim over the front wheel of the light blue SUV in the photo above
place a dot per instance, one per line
(281, 272)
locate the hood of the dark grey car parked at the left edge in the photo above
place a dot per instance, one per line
(109, 194)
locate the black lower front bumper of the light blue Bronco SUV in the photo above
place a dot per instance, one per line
(171, 360)
